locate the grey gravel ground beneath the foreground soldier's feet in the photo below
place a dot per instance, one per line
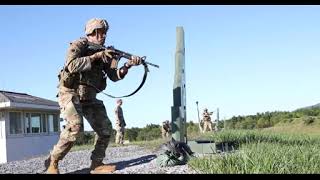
(129, 160)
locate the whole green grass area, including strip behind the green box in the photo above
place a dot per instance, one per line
(263, 152)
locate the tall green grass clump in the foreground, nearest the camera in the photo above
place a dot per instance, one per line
(263, 158)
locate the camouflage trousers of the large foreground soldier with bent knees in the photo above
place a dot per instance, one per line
(72, 110)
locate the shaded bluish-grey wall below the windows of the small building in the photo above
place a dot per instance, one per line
(25, 147)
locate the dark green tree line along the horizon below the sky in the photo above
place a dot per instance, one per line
(259, 120)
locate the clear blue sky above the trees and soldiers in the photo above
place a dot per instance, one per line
(242, 59)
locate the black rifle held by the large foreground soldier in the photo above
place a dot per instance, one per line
(118, 54)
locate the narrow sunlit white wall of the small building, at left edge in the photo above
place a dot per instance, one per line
(3, 149)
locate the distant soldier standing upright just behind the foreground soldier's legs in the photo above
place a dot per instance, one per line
(120, 123)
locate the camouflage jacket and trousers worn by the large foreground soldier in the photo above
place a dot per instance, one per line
(79, 102)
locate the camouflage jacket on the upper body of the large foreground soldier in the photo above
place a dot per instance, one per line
(82, 71)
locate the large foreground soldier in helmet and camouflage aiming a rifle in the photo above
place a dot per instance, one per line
(84, 75)
